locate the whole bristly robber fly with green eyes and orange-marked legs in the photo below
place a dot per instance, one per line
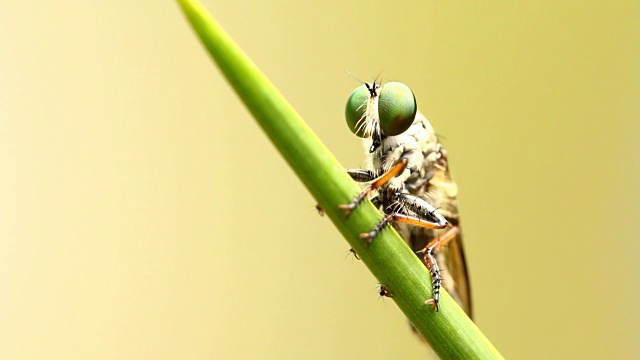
(408, 170)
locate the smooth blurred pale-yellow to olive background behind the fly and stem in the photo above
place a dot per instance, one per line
(145, 216)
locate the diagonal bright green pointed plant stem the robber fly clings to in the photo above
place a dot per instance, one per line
(450, 332)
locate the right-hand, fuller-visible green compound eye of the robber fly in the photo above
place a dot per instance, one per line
(397, 108)
